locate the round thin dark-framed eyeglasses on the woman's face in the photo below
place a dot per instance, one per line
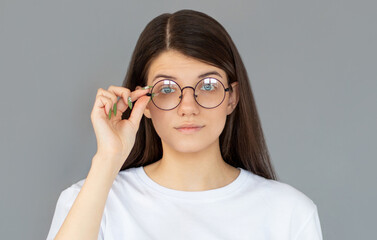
(208, 93)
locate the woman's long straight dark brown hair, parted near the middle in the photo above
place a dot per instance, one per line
(198, 35)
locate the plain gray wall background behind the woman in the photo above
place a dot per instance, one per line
(311, 65)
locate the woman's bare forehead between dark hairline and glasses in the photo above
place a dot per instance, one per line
(181, 67)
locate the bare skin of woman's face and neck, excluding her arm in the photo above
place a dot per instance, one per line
(190, 162)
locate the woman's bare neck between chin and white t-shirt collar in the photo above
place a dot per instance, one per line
(192, 171)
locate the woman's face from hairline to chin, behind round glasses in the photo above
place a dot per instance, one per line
(186, 70)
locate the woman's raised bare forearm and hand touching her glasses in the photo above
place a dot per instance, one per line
(115, 139)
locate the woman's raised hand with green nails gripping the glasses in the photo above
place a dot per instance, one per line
(116, 137)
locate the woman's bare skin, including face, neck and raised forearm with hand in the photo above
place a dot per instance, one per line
(190, 162)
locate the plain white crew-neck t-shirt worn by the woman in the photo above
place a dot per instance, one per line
(250, 207)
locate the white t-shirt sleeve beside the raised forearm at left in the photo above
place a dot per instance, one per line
(64, 204)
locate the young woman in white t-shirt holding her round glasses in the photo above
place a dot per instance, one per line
(185, 158)
